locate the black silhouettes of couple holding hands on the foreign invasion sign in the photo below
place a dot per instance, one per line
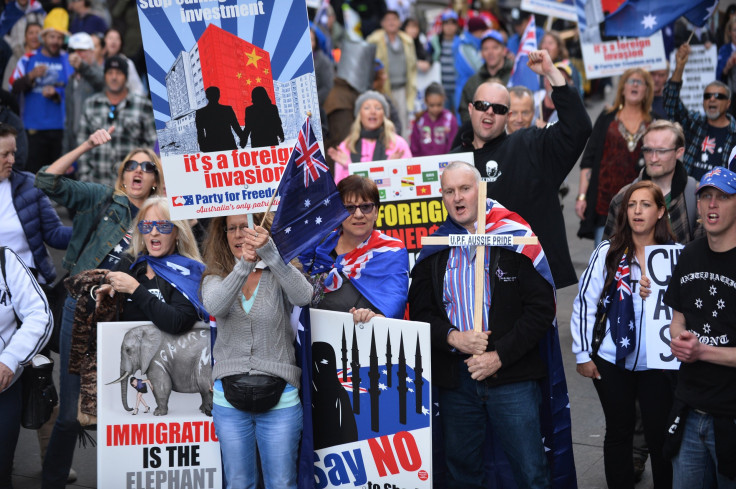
(216, 123)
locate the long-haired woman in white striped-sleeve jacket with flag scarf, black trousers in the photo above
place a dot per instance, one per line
(609, 336)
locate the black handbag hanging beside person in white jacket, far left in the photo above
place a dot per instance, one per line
(39, 393)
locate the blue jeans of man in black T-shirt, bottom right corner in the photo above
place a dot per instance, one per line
(696, 466)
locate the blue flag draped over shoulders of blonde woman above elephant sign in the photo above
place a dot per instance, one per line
(184, 274)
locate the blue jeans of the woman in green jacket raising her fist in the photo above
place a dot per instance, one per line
(60, 452)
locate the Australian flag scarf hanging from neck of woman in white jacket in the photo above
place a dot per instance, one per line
(621, 312)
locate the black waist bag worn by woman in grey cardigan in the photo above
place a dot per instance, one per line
(253, 393)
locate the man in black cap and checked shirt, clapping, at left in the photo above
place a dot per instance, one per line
(130, 113)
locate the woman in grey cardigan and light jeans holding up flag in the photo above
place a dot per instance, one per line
(250, 291)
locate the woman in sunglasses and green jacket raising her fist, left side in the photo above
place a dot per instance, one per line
(101, 232)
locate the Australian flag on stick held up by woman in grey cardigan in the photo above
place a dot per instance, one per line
(310, 206)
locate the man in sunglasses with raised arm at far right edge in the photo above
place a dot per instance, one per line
(709, 137)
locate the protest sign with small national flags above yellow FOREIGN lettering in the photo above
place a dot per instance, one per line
(411, 202)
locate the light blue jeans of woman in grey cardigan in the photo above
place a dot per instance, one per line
(275, 432)
